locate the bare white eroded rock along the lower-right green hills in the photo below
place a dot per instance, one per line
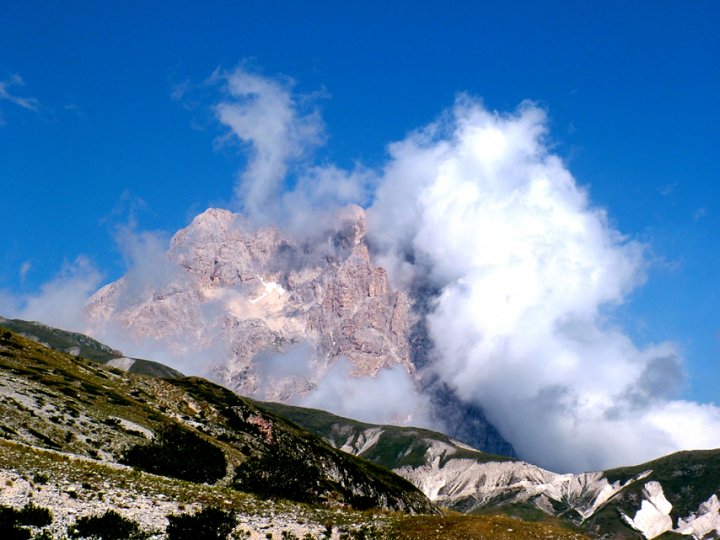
(452, 477)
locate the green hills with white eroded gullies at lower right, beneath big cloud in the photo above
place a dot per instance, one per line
(677, 494)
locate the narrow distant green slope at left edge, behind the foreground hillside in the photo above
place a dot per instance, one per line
(81, 345)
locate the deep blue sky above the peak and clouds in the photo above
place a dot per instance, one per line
(91, 122)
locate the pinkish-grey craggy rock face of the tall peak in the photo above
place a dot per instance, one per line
(259, 294)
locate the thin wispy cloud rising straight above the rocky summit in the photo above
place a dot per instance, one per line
(280, 185)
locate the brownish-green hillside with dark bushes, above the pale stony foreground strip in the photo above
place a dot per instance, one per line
(185, 428)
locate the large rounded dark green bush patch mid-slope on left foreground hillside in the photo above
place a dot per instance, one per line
(179, 453)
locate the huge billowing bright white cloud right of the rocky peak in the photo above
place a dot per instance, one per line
(527, 271)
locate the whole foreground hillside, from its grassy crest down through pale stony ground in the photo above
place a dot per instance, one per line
(82, 443)
